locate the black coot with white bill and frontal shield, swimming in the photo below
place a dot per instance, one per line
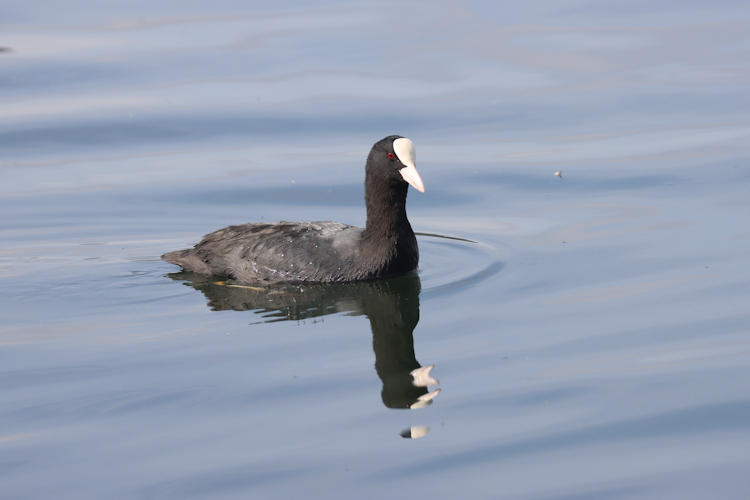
(267, 253)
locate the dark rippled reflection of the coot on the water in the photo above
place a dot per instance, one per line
(391, 305)
